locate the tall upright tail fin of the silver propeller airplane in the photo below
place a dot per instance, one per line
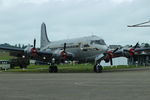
(44, 38)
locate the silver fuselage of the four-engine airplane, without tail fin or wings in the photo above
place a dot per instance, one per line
(84, 49)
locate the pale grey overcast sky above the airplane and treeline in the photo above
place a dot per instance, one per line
(20, 20)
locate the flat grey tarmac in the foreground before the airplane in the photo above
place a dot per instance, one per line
(128, 85)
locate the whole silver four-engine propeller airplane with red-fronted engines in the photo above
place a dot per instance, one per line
(83, 49)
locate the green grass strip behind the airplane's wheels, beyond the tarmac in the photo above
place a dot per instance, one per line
(67, 68)
